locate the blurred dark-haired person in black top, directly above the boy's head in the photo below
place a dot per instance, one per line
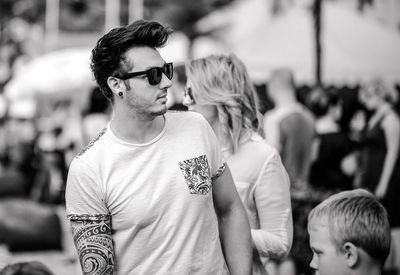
(332, 148)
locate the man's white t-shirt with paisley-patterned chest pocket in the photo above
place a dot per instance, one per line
(158, 194)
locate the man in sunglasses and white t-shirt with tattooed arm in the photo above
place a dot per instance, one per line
(151, 194)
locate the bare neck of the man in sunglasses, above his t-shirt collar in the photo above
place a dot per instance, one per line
(134, 128)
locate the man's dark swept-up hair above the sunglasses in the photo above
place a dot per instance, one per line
(108, 56)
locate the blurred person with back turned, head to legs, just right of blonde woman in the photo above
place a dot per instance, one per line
(290, 128)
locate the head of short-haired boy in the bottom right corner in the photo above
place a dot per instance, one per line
(347, 230)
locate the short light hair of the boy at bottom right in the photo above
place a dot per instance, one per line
(357, 217)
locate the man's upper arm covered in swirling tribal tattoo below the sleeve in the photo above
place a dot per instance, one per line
(92, 238)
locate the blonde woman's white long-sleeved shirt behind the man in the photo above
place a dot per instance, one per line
(264, 187)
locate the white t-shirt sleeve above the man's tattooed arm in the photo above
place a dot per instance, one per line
(83, 195)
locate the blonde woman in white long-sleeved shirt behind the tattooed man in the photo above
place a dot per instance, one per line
(219, 88)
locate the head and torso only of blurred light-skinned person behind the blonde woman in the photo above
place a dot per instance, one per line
(290, 128)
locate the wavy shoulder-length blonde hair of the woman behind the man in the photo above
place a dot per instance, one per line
(223, 81)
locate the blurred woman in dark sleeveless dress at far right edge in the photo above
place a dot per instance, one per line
(380, 157)
